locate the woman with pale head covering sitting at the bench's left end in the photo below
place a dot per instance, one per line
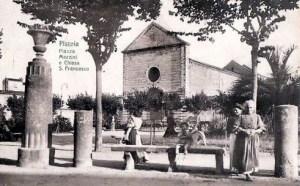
(132, 136)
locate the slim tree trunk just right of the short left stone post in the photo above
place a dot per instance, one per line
(98, 137)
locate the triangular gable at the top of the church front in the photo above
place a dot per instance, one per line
(154, 36)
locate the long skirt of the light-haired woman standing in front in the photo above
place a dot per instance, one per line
(245, 153)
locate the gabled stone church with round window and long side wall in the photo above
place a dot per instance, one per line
(157, 58)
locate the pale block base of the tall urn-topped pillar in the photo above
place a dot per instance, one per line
(33, 158)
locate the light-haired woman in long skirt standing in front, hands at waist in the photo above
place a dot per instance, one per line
(245, 157)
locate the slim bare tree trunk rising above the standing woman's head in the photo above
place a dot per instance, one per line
(254, 56)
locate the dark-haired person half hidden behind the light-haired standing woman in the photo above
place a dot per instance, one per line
(236, 113)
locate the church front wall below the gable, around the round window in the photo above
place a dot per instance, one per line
(169, 60)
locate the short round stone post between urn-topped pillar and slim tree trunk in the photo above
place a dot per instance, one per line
(83, 138)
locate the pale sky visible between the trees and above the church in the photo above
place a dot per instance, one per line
(17, 49)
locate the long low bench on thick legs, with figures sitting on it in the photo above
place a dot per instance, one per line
(217, 151)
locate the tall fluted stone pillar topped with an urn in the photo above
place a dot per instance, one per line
(38, 104)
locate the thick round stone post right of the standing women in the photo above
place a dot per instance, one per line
(286, 141)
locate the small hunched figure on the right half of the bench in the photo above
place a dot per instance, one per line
(188, 137)
